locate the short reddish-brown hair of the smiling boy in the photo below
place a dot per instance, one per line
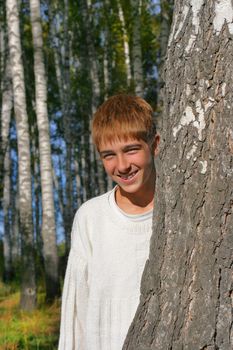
(123, 117)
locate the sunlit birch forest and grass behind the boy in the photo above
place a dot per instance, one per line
(58, 61)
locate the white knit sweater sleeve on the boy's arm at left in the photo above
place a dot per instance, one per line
(75, 294)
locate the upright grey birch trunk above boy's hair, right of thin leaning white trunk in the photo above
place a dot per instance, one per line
(136, 48)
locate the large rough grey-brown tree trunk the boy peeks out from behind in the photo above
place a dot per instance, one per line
(186, 292)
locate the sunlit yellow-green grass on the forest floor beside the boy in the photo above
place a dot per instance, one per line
(30, 331)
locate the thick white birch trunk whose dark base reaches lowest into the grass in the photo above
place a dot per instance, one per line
(28, 289)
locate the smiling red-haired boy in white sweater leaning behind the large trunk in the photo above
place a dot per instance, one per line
(111, 233)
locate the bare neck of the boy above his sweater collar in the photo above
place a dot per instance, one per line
(135, 203)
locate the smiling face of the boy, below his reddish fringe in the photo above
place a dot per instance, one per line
(130, 163)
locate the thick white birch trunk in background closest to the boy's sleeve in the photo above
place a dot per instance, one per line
(48, 216)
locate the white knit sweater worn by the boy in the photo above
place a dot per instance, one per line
(102, 283)
